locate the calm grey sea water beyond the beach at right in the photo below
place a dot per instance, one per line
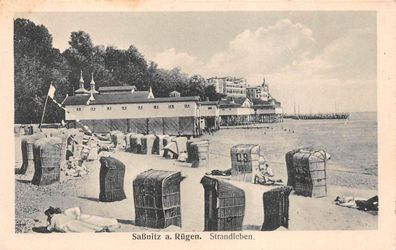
(351, 143)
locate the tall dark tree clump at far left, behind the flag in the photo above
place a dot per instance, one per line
(36, 65)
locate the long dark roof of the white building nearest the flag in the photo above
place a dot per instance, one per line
(123, 98)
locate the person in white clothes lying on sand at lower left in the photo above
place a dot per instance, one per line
(73, 221)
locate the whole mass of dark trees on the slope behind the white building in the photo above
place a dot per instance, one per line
(37, 64)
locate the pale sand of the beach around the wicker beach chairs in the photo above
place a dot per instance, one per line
(305, 213)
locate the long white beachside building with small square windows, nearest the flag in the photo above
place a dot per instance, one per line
(136, 111)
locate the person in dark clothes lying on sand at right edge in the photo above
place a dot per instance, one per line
(358, 203)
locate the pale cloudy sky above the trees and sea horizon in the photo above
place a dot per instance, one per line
(319, 61)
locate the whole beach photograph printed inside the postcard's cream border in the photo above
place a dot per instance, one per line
(230, 123)
